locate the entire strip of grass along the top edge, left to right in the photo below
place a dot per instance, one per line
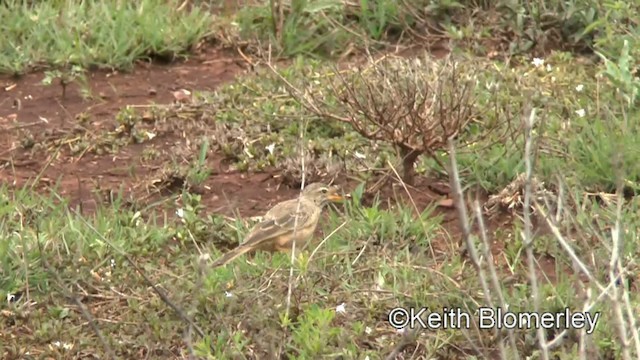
(66, 32)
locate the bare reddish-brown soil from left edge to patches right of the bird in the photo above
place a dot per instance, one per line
(28, 108)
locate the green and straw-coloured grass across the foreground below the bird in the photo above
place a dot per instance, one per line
(379, 260)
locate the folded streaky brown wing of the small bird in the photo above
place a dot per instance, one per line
(280, 220)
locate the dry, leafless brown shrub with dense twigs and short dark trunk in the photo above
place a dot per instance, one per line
(415, 104)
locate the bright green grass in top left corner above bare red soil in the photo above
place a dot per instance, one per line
(110, 34)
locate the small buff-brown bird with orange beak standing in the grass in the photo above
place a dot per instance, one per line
(278, 230)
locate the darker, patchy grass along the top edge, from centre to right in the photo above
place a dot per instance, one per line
(332, 28)
